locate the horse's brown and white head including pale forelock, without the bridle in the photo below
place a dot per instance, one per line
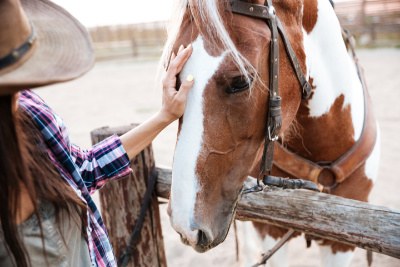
(221, 134)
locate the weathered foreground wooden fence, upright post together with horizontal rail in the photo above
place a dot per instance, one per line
(331, 217)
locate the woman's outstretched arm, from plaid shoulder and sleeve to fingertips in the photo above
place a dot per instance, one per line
(107, 159)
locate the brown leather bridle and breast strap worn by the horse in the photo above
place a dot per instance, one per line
(341, 168)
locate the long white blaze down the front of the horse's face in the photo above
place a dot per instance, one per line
(184, 178)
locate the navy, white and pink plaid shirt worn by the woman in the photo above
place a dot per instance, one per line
(84, 170)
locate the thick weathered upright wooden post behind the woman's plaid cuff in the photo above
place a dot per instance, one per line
(120, 205)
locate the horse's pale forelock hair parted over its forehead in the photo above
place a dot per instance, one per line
(208, 14)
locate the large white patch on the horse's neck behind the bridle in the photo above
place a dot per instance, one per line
(332, 69)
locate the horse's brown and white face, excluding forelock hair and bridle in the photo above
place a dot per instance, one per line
(222, 130)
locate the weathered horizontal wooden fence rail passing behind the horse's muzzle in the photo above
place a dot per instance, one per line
(331, 217)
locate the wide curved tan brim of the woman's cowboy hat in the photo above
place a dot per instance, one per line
(63, 51)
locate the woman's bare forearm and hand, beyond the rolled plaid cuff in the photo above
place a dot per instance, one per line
(172, 108)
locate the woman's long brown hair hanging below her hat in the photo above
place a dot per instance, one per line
(25, 165)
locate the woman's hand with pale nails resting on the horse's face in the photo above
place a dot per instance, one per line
(173, 104)
